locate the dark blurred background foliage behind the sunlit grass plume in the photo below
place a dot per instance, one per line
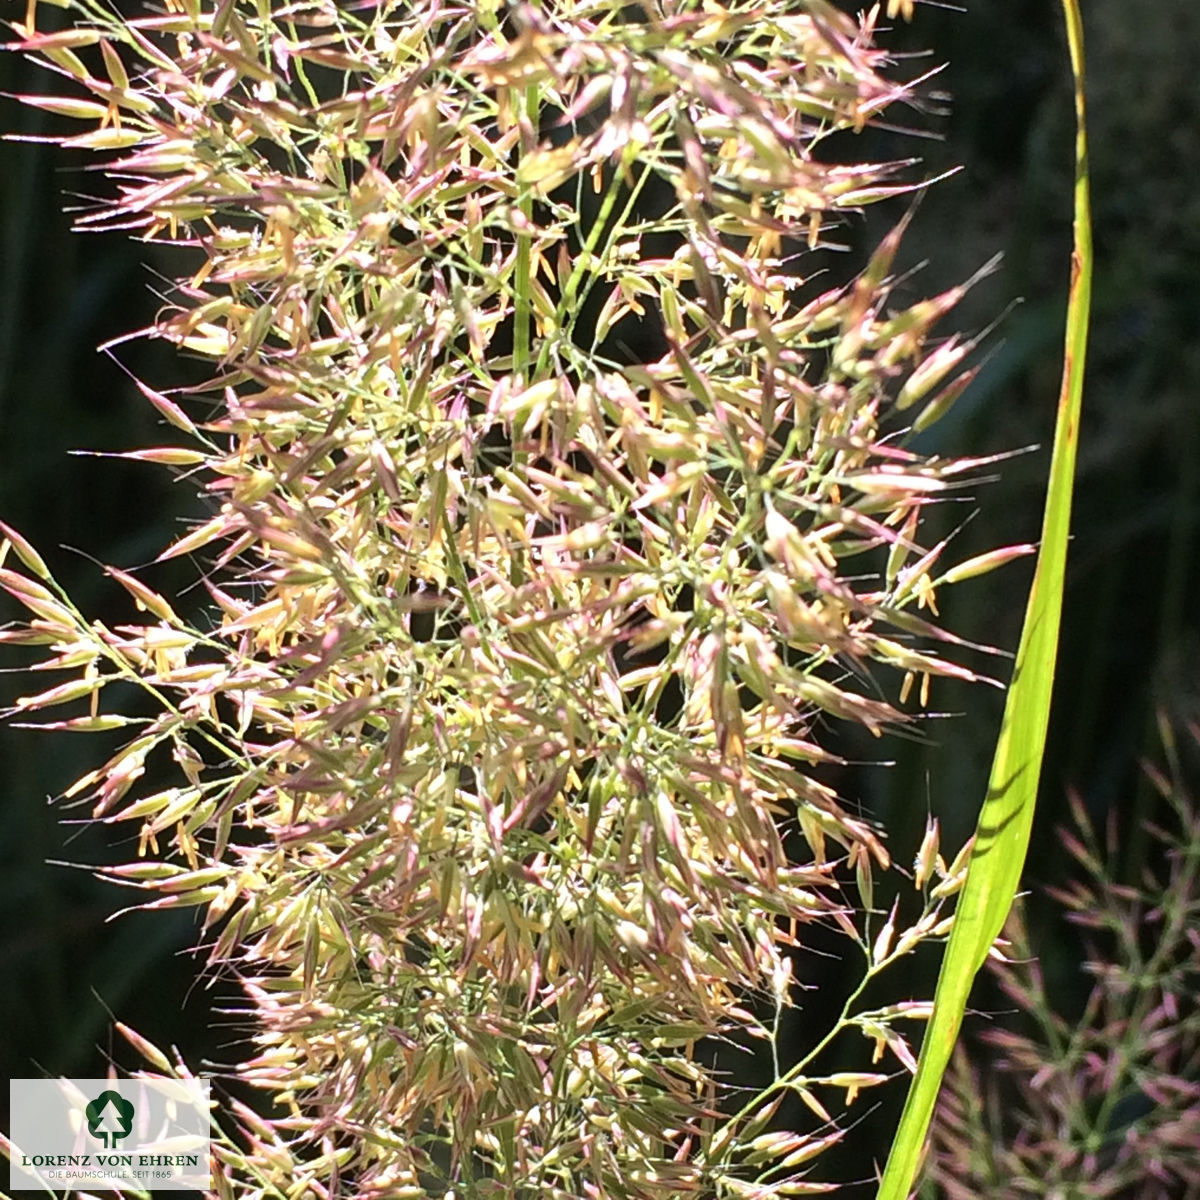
(1131, 626)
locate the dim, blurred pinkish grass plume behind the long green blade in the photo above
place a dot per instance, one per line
(1106, 1105)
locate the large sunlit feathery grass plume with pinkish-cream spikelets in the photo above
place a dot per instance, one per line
(518, 649)
